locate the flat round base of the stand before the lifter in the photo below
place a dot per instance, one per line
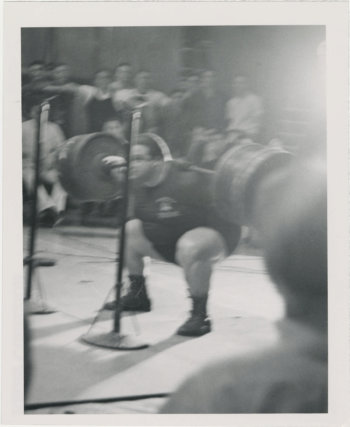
(115, 341)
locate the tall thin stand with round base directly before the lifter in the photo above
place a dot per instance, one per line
(114, 339)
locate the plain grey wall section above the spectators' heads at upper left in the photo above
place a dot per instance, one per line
(88, 49)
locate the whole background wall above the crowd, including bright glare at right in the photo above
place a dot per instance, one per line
(281, 61)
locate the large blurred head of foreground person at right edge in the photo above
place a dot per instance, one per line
(294, 238)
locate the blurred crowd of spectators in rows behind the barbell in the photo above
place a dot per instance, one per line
(194, 104)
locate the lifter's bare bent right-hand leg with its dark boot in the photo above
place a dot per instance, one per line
(197, 251)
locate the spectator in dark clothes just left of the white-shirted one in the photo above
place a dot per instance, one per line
(206, 105)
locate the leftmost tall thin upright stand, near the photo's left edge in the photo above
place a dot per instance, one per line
(31, 261)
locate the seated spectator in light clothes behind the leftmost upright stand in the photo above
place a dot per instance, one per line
(51, 196)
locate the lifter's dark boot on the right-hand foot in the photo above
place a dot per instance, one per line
(198, 323)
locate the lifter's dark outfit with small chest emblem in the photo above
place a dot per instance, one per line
(181, 202)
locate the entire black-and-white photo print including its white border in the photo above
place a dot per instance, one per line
(174, 201)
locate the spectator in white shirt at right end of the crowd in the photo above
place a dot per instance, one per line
(243, 112)
